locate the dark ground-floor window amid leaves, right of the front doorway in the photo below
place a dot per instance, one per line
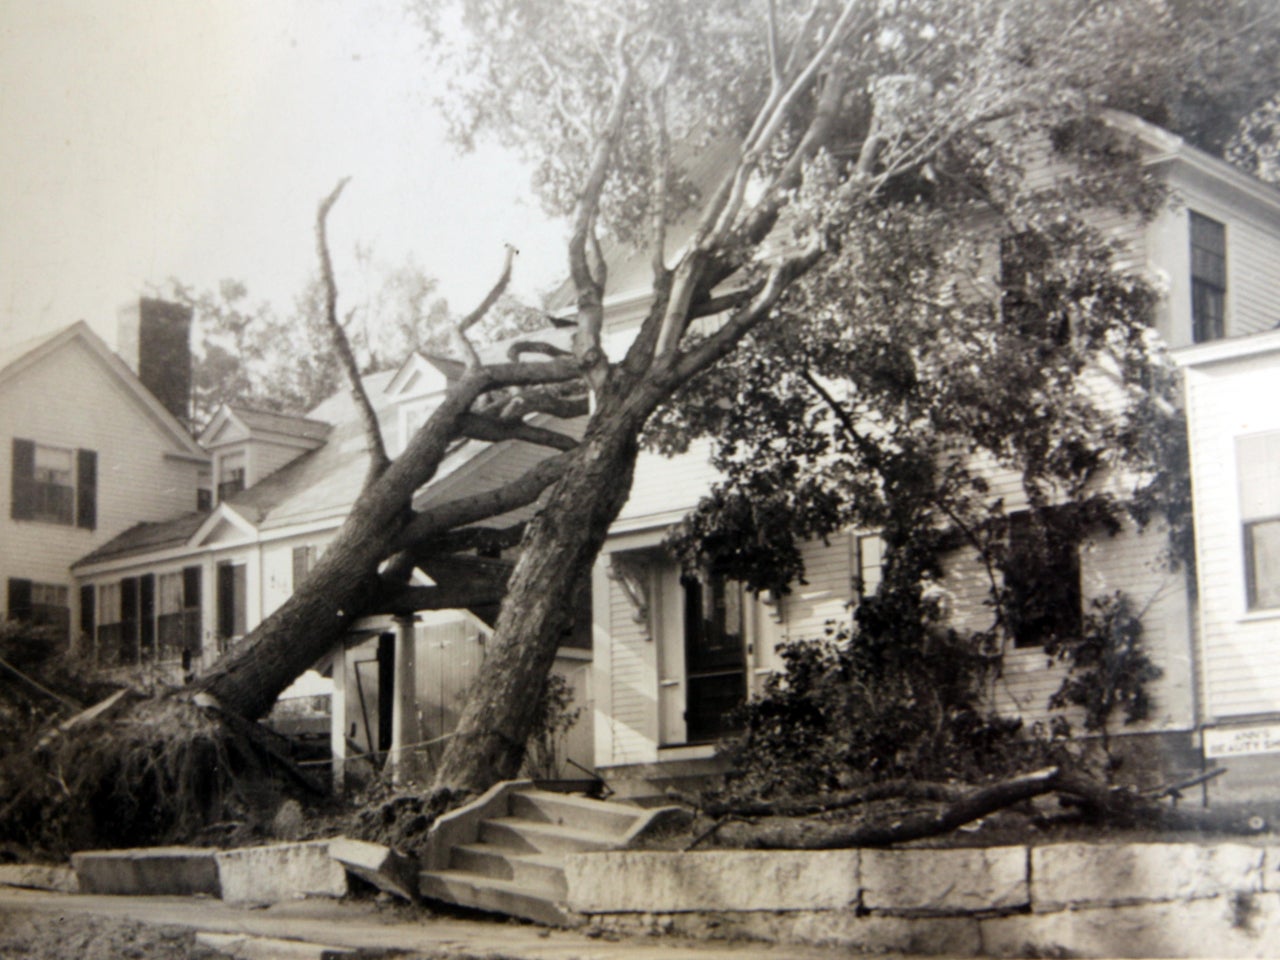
(1043, 580)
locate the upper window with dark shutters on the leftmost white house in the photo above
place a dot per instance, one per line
(54, 484)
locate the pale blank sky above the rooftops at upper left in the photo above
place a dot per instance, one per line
(154, 139)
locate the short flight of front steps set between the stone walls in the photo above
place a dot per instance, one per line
(511, 857)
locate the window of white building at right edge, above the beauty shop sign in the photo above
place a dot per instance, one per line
(1259, 467)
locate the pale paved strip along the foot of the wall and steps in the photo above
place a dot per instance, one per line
(365, 925)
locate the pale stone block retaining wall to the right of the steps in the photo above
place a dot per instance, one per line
(1123, 900)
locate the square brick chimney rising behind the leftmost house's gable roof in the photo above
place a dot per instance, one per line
(156, 341)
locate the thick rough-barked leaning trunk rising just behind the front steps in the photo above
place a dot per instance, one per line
(556, 561)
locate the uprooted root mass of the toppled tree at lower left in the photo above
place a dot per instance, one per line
(150, 771)
